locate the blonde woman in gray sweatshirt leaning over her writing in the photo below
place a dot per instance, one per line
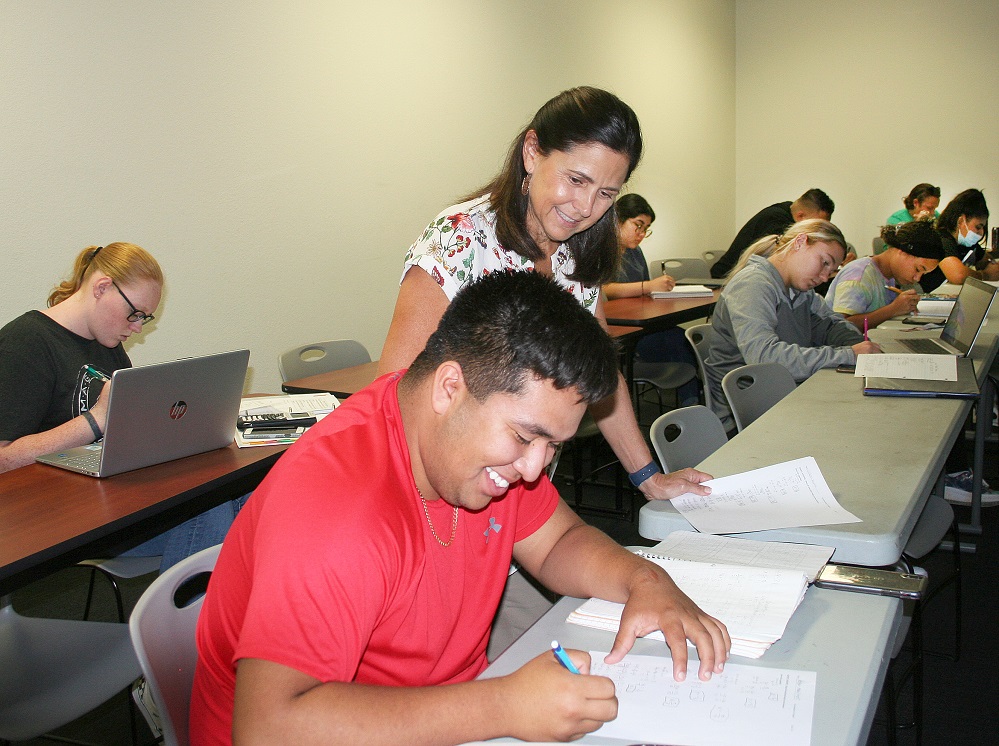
(769, 311)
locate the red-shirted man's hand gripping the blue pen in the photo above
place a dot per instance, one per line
(555, 705)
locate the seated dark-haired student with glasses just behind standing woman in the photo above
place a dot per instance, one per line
(634, 220)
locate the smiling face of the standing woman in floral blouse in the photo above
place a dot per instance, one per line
(570, 190)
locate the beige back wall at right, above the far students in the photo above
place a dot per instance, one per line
(865, 100)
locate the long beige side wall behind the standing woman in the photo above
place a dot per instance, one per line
(279, 158)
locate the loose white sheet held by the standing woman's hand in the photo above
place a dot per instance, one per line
(786, 495)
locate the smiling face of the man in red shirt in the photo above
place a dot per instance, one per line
(484, 447)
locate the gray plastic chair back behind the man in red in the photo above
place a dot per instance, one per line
(162, 627)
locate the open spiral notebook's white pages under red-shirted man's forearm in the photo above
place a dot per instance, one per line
(755, 603)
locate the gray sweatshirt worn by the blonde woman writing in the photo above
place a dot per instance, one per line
(758, 320)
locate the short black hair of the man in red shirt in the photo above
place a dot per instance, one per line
(508, 327)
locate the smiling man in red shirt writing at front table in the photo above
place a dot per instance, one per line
(353, 604)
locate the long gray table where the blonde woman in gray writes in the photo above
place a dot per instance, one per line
(880, 456)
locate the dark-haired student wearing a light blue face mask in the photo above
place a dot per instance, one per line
(962, 225)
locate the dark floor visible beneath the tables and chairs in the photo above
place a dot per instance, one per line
(959, 696)
